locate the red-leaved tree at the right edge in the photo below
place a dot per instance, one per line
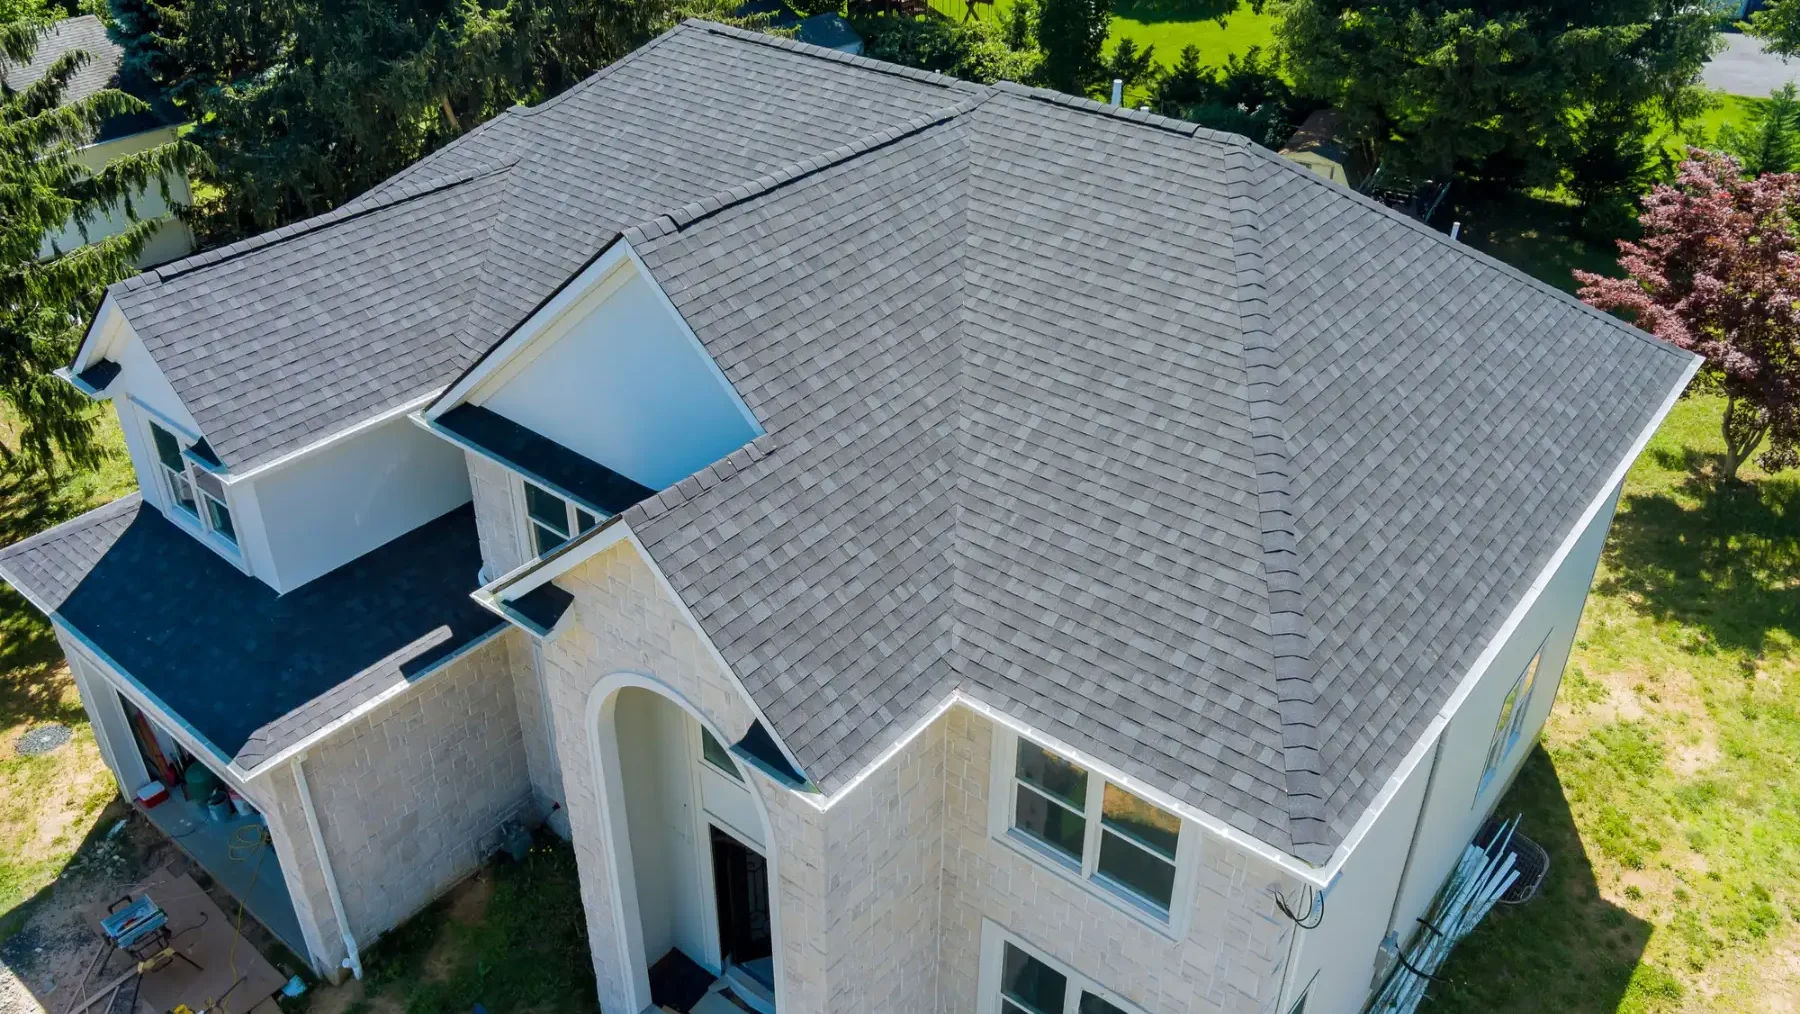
(1718, 273)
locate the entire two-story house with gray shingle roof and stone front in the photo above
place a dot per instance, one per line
(930, 547)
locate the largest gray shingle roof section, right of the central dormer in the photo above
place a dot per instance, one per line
(1129, 430)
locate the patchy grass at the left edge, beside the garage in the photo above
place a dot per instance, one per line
(49, 802)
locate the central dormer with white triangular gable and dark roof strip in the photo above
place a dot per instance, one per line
(595, 403)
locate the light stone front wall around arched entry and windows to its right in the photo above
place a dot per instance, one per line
(883, 896)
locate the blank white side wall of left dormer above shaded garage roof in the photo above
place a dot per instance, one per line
(334, 505)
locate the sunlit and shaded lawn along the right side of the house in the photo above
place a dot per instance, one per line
(1664, 786)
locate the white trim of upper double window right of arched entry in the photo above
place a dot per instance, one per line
(1173, 925)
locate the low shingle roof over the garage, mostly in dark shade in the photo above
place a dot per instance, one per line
(253, 671)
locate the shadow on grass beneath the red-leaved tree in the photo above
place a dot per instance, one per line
(1725, 557)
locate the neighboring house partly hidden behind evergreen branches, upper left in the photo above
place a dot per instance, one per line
(120, 136)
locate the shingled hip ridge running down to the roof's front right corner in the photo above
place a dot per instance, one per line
(1290, 631)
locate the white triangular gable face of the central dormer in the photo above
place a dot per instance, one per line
(627, 386)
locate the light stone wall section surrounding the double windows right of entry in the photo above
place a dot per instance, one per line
(1230, 961)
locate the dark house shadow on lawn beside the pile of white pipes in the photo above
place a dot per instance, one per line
(1567, 950)
